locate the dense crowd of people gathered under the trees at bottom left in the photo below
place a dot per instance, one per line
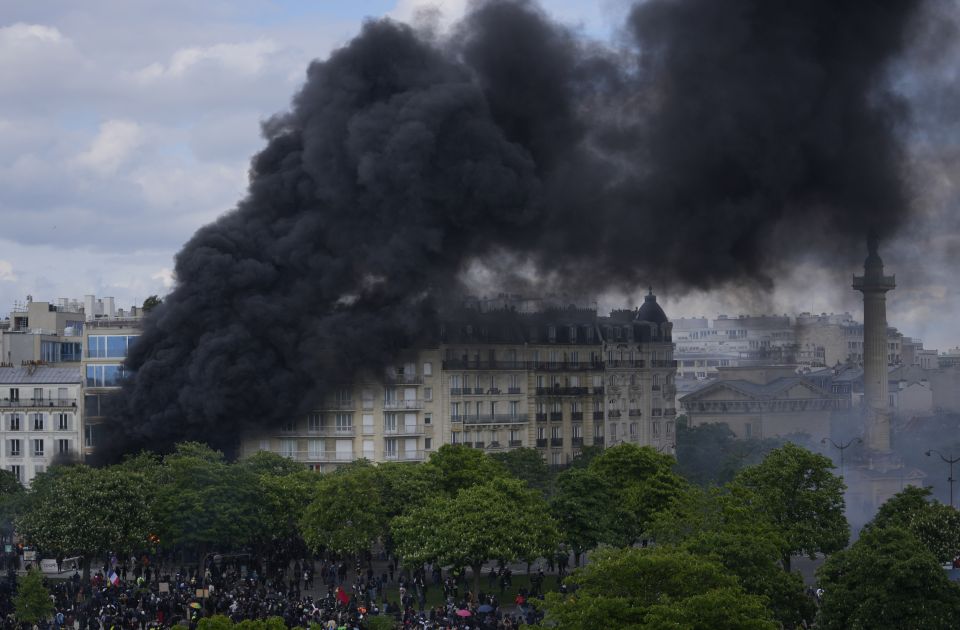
(138, 597)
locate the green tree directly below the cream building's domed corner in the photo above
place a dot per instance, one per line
(643, 484)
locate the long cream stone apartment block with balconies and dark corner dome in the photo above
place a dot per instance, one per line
(496, 379)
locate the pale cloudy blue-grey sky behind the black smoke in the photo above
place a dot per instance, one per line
(126, 125)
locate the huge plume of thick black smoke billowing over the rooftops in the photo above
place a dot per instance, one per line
(403, 160)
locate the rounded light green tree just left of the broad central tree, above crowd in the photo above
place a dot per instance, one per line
(346, 514)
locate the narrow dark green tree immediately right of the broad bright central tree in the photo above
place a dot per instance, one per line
(581, 507)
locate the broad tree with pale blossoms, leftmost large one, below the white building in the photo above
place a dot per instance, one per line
(77, 510)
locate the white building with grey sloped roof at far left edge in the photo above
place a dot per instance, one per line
(40, 418)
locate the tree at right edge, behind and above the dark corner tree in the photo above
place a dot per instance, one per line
(934, 524)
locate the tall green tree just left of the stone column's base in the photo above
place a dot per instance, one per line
(803, 499)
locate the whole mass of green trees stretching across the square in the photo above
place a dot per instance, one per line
(722, 556)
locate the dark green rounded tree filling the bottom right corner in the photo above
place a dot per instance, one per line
(887, 580)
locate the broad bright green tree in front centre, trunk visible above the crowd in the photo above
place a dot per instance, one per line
(501, 519)
